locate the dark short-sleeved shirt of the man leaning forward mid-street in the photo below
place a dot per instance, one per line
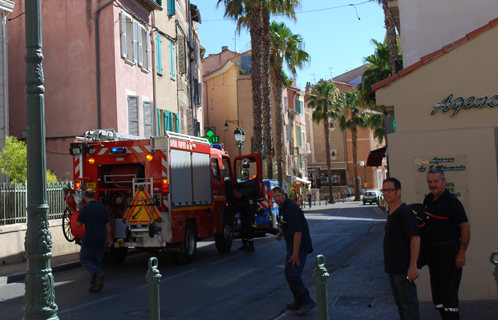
(292, 220)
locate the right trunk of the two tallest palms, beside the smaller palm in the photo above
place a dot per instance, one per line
(266, 92)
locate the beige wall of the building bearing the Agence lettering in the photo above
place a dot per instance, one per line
(467, 140)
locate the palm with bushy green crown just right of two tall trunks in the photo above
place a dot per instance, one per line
(288, 49)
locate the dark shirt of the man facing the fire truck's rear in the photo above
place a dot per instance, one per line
(94, 216)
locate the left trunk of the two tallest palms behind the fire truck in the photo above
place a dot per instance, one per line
(256, 36)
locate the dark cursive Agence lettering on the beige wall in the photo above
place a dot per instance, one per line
(460, 103)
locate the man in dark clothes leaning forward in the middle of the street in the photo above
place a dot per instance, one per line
(294, 228)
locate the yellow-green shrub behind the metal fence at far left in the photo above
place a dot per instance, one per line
(14, 161)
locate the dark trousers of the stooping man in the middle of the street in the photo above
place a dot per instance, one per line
(293, 277)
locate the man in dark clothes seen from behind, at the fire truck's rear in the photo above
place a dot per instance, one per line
(97, 235)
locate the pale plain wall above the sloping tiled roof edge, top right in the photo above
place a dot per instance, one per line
(438, 23)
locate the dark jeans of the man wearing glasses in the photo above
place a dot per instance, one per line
(405, 296)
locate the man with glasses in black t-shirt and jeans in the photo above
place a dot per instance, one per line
(401, 249)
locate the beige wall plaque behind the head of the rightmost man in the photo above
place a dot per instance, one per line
(455, 171)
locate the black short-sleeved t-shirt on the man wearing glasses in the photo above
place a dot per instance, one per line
(400, 226)
